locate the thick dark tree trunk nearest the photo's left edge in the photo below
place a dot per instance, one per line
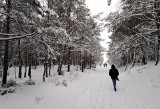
(5, 69)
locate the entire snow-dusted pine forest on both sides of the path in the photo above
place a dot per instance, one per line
(63, 32)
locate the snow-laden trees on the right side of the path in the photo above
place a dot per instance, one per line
(135, 31)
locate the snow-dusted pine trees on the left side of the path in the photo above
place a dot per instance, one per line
(47, 32)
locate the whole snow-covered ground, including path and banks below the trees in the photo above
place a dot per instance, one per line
(138, 88)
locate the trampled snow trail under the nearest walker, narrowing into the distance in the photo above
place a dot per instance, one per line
(99, 94)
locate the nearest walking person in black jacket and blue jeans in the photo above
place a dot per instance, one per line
(113, 73)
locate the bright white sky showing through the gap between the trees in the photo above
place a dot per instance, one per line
(98, 6)
